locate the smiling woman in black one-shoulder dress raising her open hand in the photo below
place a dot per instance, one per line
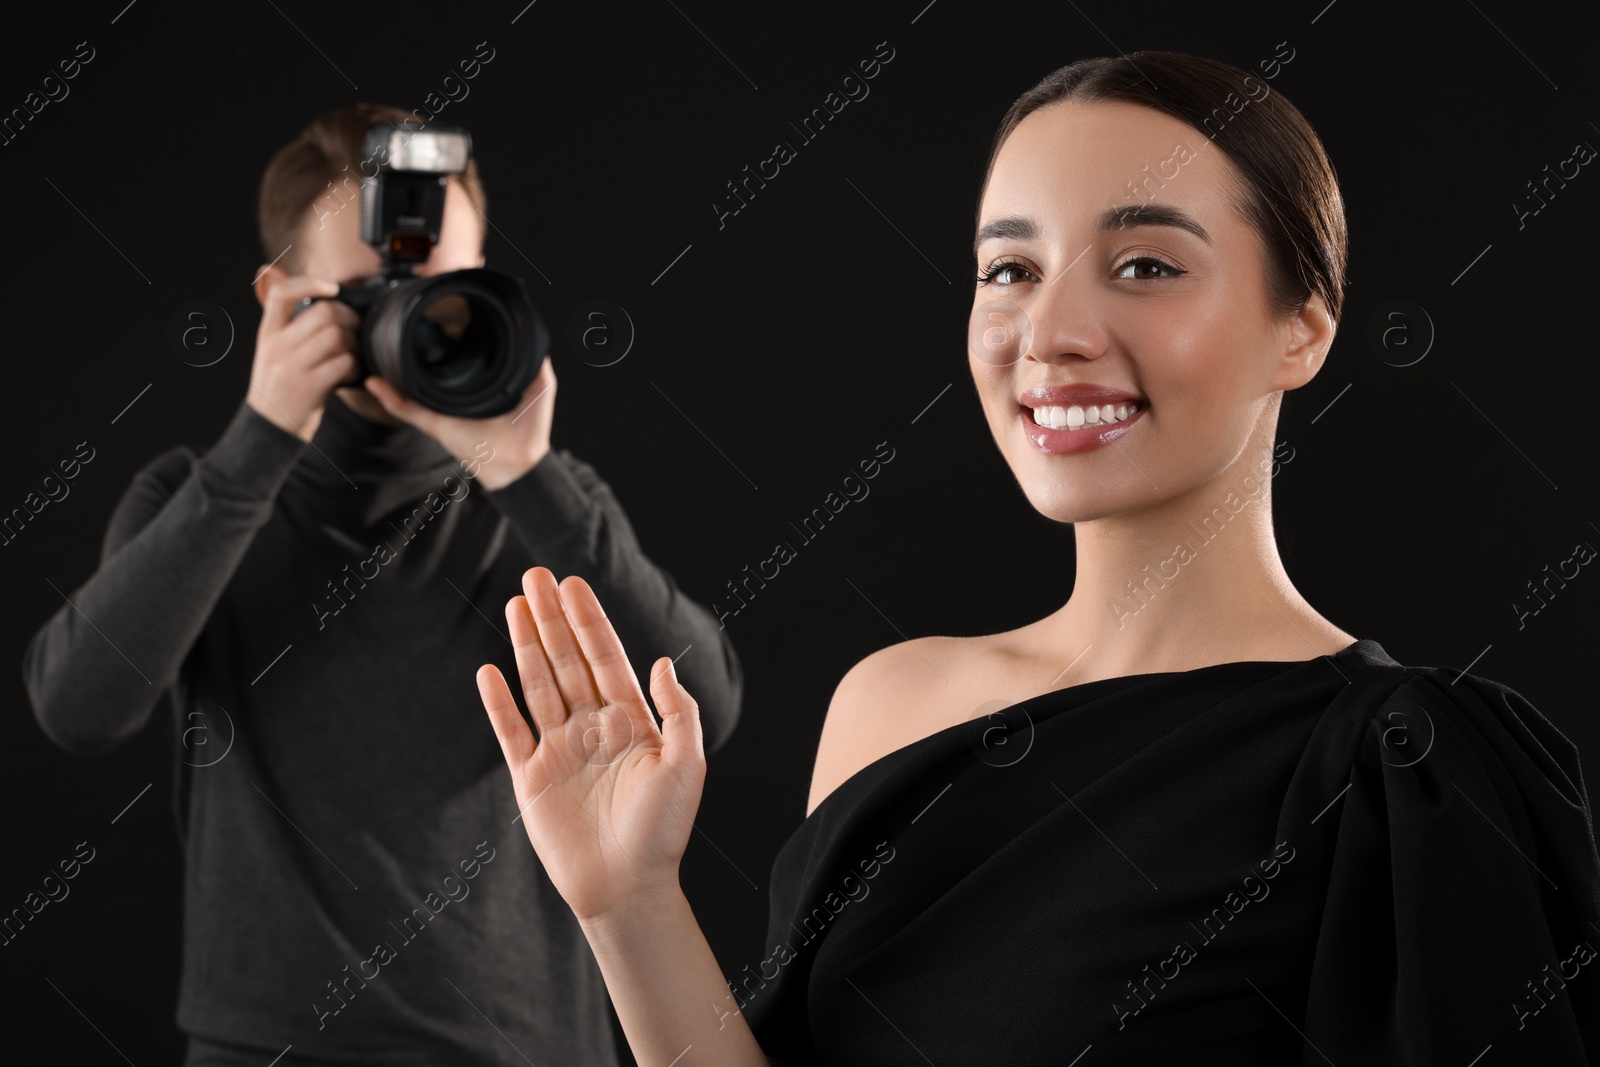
(1185, 817)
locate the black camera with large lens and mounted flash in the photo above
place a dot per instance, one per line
(463, 343)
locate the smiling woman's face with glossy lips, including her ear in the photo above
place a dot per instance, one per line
(1090, 290)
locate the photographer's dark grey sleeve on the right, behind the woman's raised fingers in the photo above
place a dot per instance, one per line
(572, 524)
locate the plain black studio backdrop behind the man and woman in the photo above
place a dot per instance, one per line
(778, 351)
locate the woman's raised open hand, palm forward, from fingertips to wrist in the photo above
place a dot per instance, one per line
(607, 796)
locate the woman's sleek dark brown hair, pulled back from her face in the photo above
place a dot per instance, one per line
(1292, 191)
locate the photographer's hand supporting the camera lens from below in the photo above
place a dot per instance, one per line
(521, 438)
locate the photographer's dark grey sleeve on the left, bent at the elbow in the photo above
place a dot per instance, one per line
(98, 668)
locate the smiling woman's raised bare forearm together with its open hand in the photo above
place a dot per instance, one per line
(609, 801)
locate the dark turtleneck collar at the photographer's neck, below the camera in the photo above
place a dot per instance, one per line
(367, 470)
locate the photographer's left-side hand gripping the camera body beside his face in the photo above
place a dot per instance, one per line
(302, 361)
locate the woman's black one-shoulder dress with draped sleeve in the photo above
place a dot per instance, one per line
(1342, 860)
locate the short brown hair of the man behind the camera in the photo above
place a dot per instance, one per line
(326, 159)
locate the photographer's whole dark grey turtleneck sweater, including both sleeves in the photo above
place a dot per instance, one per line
(356, 884)
